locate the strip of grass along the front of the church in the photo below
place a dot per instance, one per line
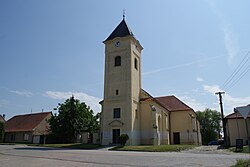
(160, 148)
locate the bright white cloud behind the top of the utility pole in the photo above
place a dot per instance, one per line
(229, 102)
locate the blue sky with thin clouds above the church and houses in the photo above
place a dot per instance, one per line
(51, 49)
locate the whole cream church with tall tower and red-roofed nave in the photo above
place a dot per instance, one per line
(129, 109)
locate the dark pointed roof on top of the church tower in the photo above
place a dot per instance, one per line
(121, 30)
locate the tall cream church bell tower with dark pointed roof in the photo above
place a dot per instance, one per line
(122, 86)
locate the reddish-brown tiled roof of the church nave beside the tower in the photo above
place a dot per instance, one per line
(171, 103)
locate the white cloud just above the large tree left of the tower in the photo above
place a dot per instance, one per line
(91, 101)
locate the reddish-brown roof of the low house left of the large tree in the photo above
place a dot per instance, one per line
(25, 123)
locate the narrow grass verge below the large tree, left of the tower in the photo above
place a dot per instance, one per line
(72, 145)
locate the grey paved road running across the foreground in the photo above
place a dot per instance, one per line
(24, 156)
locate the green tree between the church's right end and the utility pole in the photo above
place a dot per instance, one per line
(210, 124)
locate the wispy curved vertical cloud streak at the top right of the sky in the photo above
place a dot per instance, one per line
(230, 38)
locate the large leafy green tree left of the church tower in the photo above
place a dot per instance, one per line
(73, 118)
